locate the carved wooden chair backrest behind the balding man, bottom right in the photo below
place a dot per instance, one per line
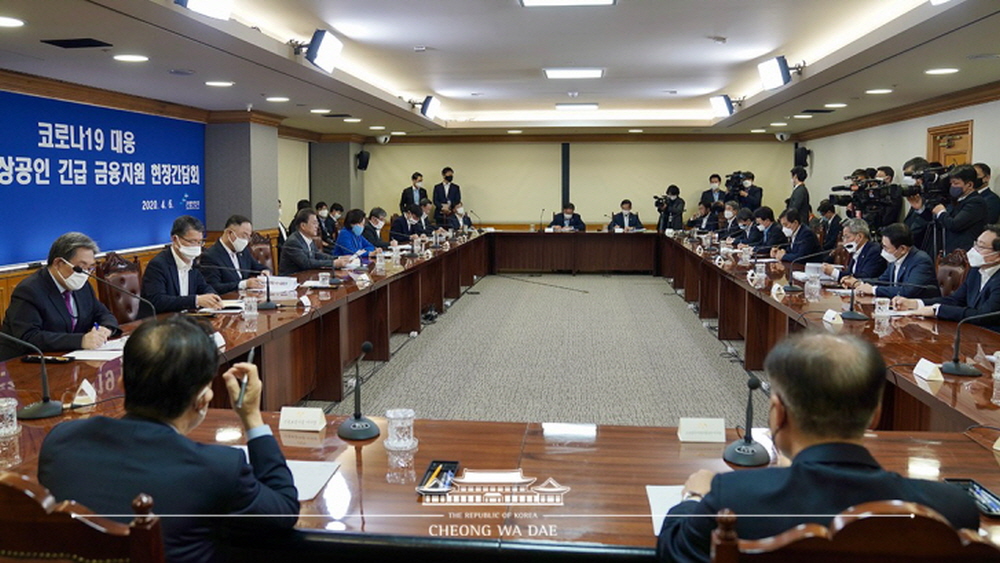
(866, 533)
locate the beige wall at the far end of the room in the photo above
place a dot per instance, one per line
(512, 183)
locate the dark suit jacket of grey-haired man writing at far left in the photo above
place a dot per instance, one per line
(38, 314)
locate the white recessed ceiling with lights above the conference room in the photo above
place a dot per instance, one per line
(663, 59)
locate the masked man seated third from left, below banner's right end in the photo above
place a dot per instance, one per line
(221, 264)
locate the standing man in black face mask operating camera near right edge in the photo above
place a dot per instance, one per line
(963, 220)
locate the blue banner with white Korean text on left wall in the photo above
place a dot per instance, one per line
(120, 177)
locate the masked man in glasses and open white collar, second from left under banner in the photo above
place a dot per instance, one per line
(170, 282)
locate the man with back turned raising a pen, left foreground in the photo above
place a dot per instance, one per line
(103, 463)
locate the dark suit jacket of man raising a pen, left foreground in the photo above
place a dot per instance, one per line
(104, 463)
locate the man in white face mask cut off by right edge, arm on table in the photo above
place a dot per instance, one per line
(978, 294)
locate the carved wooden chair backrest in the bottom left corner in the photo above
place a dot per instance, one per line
(35, 526)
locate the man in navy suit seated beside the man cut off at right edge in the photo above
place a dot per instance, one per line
(910, 272)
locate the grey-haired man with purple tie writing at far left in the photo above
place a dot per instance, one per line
(55, 308)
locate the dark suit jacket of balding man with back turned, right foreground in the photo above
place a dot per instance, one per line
(823, 479)
